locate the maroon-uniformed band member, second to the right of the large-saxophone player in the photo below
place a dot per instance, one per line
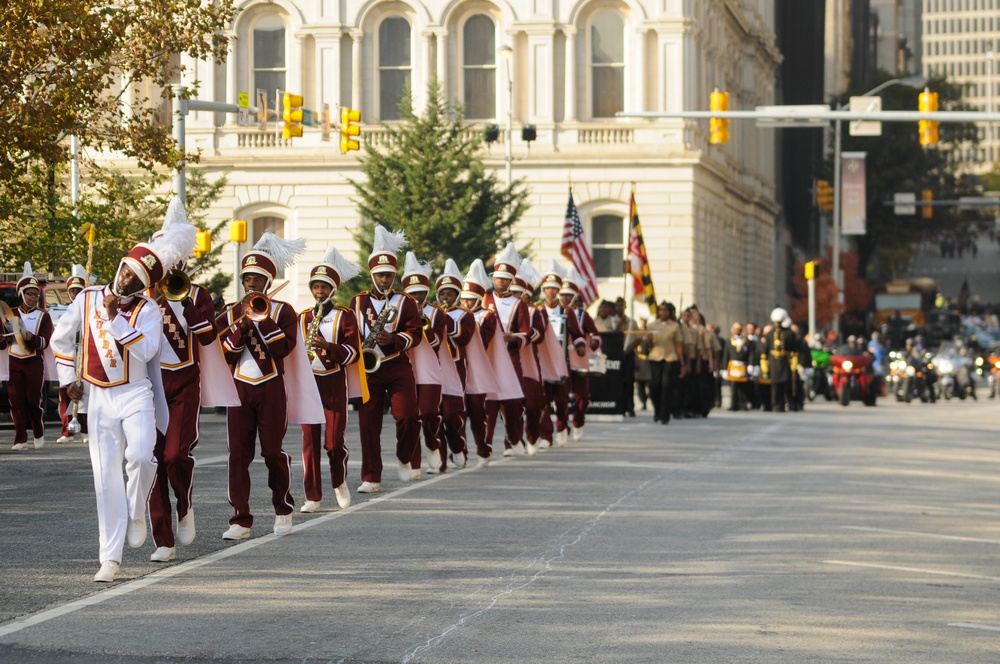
(462, 331)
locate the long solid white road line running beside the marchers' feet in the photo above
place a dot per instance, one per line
(175, 570)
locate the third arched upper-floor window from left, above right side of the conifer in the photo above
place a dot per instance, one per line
(479, 67)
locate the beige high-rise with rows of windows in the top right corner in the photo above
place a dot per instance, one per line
(961, 40)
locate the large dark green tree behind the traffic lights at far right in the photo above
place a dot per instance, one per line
(896, 162)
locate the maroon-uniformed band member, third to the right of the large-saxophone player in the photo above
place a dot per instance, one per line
(506, 385)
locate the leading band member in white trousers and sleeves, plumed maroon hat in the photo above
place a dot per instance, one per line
(122, 331)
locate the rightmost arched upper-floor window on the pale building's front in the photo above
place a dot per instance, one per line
(607, 64)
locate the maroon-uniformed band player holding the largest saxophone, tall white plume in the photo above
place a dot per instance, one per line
(390, 326)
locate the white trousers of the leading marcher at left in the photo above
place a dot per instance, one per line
(122, 426)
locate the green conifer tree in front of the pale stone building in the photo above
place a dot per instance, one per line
(427, 177)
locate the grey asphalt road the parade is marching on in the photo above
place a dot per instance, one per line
(835, 535)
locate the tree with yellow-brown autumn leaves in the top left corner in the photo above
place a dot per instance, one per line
(70, 67)
